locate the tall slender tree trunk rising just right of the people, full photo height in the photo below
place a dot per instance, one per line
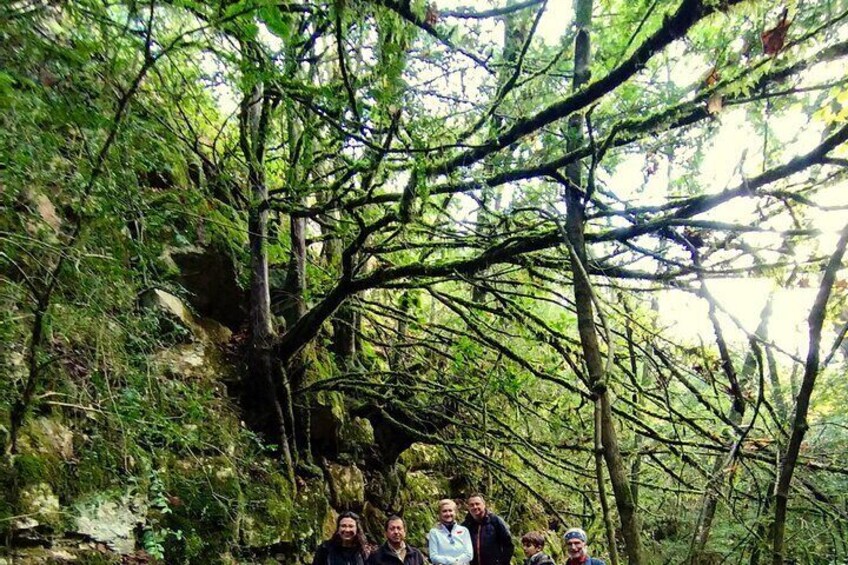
(575, 226)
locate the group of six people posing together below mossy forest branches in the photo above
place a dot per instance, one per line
(483, 538)
